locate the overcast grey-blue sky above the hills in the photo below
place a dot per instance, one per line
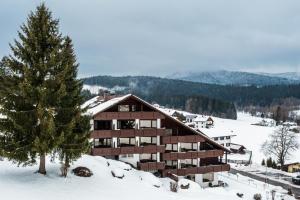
(158, 37)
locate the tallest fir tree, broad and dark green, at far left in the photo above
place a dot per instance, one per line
(34, 86)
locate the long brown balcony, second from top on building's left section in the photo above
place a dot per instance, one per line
(128, 133)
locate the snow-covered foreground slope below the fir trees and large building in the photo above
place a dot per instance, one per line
(22, 183)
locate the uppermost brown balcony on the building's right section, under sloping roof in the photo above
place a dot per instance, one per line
(185, 139)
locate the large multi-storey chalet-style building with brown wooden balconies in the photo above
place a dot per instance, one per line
(129, 129)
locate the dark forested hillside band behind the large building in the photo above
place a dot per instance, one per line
(241, 96)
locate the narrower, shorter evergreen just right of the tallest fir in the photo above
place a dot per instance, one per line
(70, 122)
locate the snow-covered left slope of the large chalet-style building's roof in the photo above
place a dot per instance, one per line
(95, 105)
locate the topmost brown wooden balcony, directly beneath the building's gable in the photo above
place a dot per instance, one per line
(128, 115)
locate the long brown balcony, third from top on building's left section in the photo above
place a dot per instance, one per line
(128, 150)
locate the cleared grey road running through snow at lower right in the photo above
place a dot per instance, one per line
(295, 189)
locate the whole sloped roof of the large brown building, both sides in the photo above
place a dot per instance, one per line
(105, 105)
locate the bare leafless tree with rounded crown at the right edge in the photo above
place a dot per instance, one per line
(281, 144)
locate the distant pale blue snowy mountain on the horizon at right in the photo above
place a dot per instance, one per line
(224, 77)
